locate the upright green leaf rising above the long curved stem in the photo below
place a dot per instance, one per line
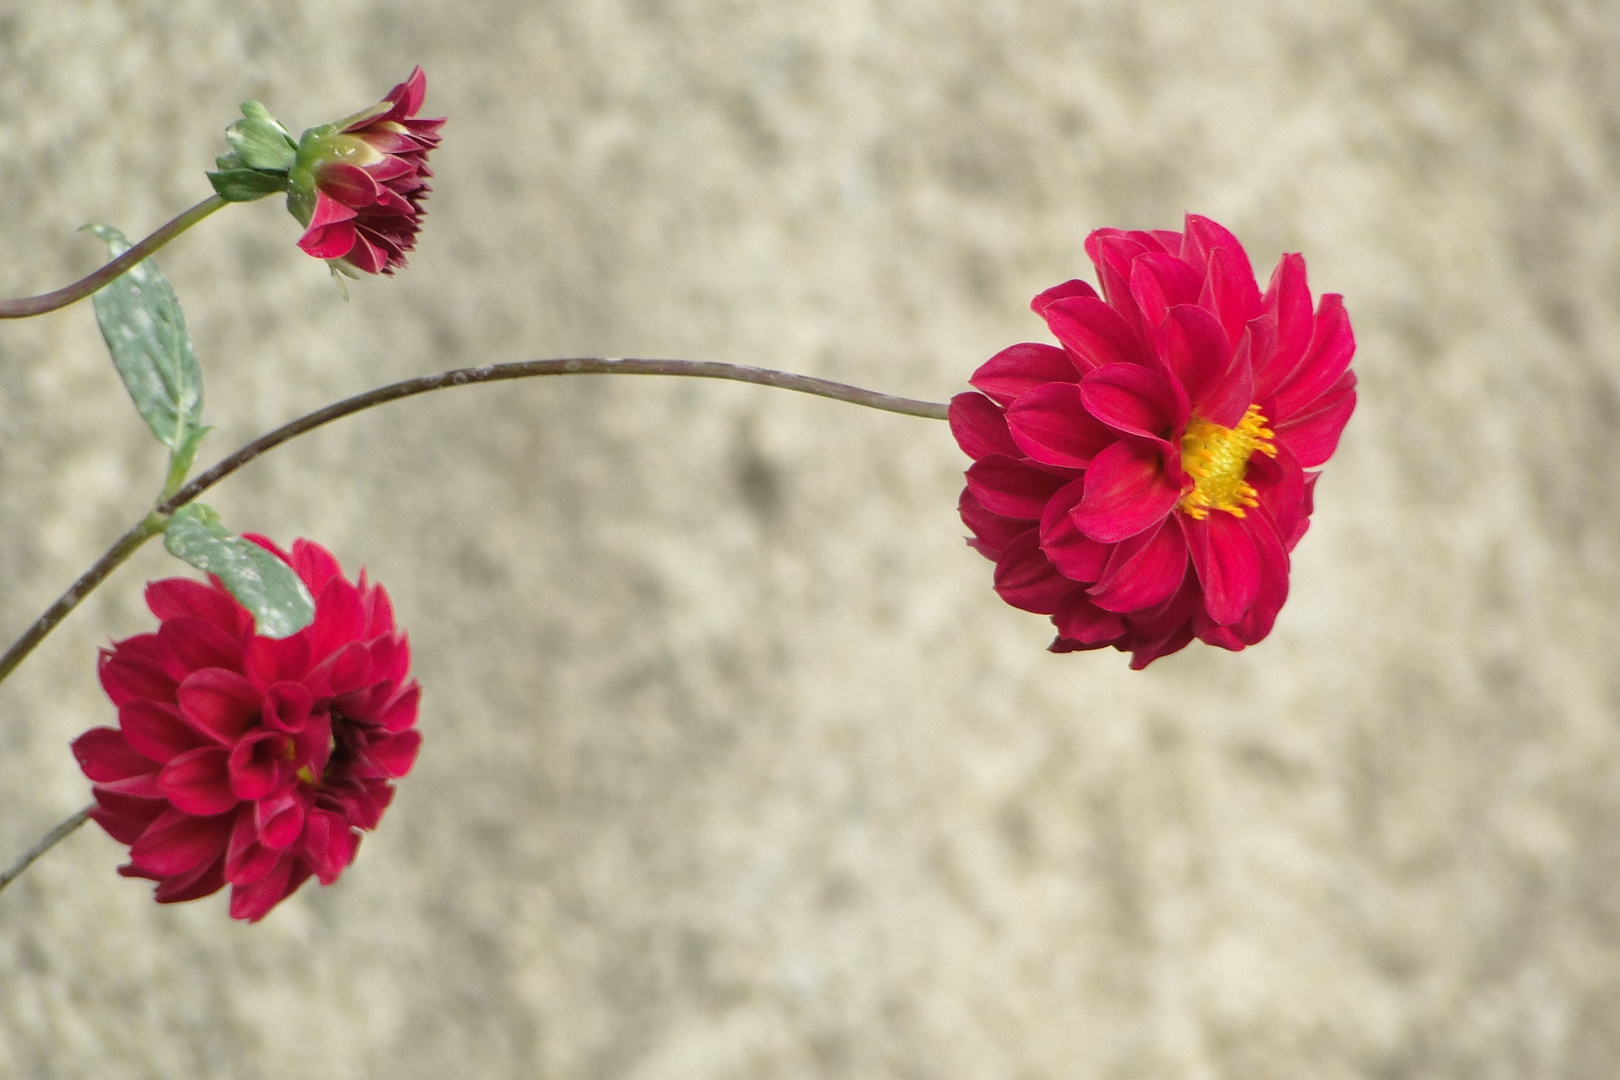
(147, 334)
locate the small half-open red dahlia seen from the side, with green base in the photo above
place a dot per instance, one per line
(359, 184)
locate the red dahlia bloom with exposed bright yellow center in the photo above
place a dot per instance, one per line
(1145, 483)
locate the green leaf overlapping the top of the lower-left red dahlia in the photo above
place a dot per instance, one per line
(263, 584)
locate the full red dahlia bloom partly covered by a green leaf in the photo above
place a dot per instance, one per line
(252, 760)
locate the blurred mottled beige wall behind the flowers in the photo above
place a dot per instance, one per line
(736, 767)
